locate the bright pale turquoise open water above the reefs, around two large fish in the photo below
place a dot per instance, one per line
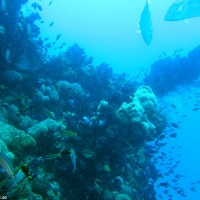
(109, 31)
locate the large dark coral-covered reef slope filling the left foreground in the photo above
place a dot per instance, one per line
(65, 124)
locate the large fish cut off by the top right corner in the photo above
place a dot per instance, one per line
(183, 9)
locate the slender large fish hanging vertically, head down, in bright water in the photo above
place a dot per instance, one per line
(146, 23)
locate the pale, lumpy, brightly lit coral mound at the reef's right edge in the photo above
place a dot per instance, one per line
(137, 112)
